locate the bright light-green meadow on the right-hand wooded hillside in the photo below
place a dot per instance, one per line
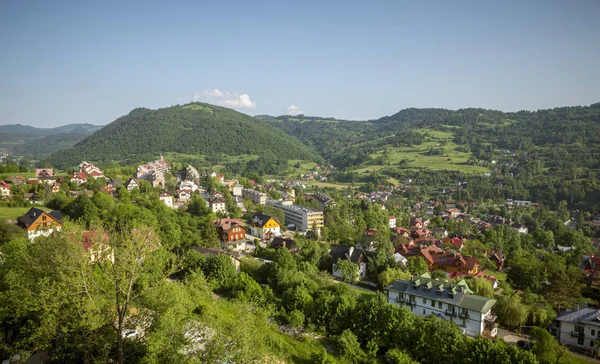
(417, 156)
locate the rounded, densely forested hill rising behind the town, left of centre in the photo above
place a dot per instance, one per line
(195, 128)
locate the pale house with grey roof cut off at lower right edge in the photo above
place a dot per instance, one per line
(578, 328)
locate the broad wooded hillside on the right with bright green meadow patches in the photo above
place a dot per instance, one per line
(547, 155)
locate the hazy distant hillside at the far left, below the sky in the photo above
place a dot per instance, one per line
(35, 142)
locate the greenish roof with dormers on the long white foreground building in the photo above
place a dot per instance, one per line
(457, 294)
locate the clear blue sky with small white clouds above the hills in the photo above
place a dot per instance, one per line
(64, 62)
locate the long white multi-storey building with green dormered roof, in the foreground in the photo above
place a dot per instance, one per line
(453, 302)
